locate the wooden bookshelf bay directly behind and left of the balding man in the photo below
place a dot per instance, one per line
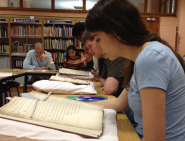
(24, 34)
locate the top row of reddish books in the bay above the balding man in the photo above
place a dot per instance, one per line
(26, 31)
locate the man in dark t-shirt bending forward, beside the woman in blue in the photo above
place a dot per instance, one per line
(111, 77)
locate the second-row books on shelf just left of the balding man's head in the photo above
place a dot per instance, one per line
(22, 48)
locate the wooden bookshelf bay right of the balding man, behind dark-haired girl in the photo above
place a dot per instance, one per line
(57, 37)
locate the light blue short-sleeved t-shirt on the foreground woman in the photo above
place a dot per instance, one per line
(157, 66)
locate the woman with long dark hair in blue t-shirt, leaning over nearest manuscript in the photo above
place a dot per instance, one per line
(154, 78)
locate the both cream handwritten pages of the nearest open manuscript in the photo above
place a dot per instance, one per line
(69, 112)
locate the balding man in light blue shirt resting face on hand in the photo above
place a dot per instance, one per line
(38, 59)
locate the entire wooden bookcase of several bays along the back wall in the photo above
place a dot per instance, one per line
(18, 36)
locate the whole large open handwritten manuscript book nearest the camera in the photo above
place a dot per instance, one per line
(56, 112)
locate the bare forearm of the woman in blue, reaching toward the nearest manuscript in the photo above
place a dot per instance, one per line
(118, 104)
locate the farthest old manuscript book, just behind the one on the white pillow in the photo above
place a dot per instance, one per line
(73, 72)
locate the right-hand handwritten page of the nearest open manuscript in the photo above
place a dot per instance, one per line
(69, 113)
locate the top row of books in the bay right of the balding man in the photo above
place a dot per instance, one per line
(57, 31)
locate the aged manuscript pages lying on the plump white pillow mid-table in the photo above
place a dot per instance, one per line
(64, 79)
